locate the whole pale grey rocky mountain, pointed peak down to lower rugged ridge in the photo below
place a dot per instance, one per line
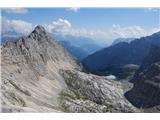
(38, 75)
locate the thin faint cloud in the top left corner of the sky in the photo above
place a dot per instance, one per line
(15, 10)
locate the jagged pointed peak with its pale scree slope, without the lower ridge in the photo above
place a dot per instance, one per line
(30, 78)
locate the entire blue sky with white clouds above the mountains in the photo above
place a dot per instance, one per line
(103, 24)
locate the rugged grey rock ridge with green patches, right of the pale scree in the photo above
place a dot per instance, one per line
(107, 95)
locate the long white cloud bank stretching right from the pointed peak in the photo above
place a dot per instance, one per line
(64, 27)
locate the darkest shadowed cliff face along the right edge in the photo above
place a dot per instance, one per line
(146, 91)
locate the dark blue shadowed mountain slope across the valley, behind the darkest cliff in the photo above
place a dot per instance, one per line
(121, 54)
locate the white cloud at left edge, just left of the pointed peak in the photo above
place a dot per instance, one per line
(18, 26)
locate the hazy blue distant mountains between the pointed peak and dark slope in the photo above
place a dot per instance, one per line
(79, 47)
